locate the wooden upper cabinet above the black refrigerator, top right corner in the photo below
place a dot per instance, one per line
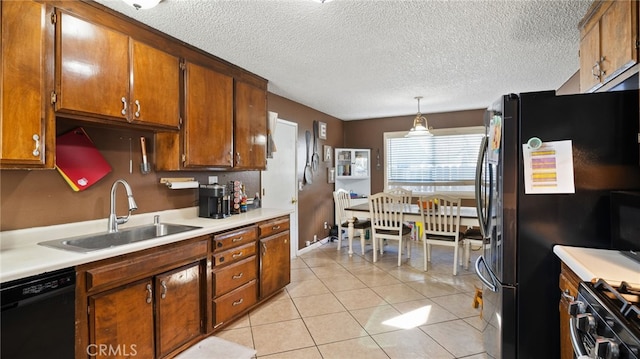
(609, 42)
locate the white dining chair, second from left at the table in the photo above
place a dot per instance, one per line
(386, 212)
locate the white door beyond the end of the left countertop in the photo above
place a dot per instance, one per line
(279, 181)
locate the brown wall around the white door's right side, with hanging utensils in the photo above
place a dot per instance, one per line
(315, 201)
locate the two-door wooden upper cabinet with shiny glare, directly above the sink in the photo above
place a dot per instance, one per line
(105, 74)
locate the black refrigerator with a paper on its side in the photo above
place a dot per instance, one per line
(518, 268)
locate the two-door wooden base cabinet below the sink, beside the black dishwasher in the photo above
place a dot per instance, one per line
(149, 304)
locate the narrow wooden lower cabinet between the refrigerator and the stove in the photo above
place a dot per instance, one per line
(569, 283)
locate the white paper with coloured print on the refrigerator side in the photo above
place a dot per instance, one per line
(549, 168)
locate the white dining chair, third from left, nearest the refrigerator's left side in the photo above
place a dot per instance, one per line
(441, 218)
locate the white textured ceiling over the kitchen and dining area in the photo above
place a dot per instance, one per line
(358, 59)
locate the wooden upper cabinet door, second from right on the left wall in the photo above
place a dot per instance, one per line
(208, 132)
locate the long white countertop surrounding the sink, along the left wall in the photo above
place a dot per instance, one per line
(21, 256)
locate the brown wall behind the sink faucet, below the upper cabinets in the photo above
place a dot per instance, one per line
(42, 197)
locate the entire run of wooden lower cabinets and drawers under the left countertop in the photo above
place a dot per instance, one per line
(157, 302)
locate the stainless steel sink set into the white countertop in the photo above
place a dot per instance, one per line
(96, 241)
